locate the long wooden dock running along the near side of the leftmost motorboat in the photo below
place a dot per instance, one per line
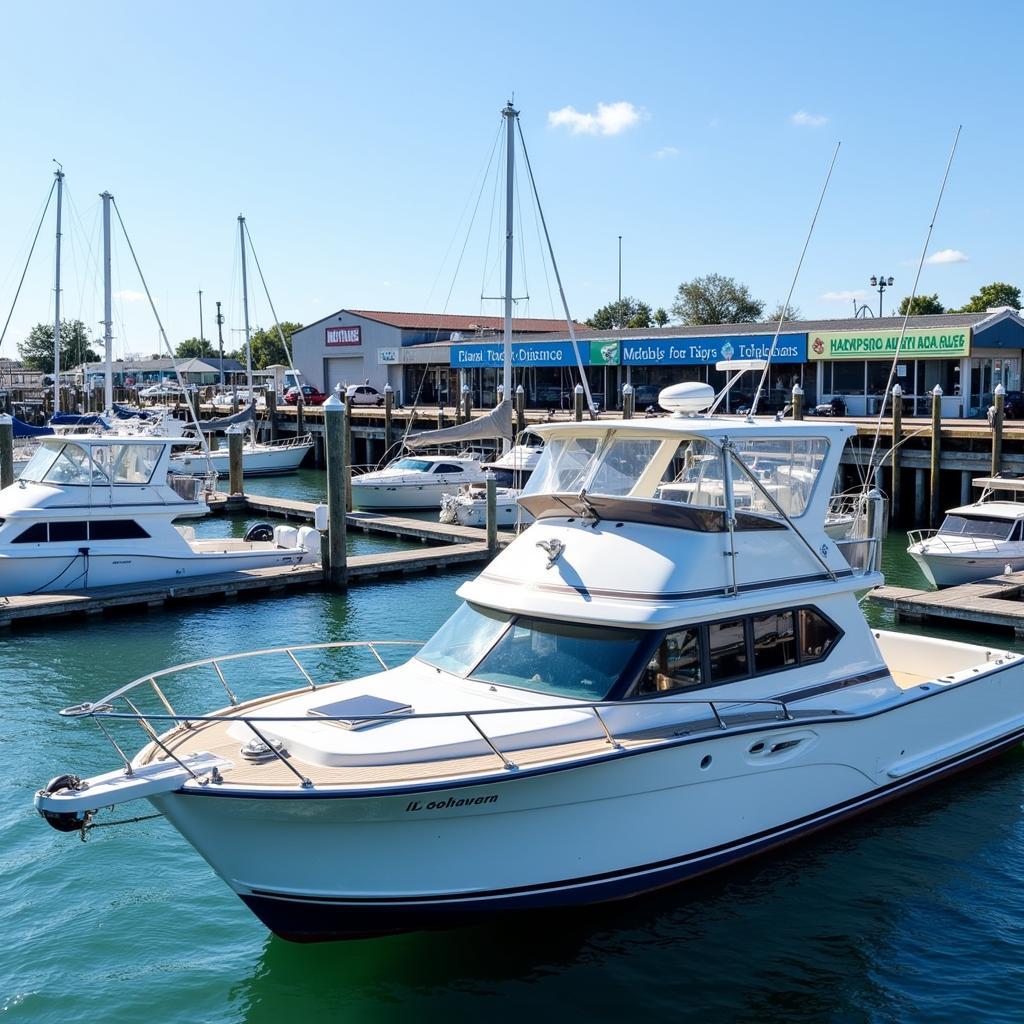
(38, 610)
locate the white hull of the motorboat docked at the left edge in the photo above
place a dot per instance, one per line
(74, 572)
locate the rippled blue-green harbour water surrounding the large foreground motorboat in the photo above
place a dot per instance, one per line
(914, 914)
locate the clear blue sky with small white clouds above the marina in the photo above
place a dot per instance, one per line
(354, 138)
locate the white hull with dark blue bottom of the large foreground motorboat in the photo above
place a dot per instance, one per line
(317, 866)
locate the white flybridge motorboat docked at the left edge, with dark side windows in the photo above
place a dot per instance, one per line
(99, 510)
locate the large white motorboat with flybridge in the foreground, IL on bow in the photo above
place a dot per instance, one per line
(648, 685)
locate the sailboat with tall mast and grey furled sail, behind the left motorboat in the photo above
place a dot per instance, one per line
(259, 458)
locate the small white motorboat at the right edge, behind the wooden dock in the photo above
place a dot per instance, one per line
(977, 541)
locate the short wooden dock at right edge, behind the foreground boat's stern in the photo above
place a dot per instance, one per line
(997, 604)
